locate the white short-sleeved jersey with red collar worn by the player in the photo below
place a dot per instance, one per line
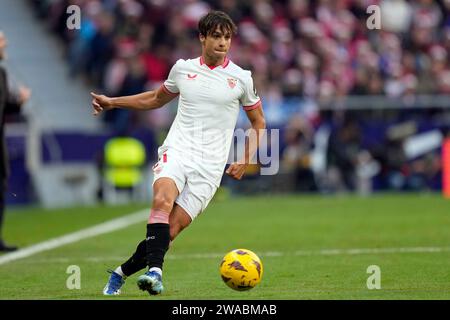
(208, 107)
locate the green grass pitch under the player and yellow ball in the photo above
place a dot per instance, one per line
(308, 246)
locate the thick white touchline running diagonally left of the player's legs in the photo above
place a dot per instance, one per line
(105, 227)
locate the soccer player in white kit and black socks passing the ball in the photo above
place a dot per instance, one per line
(192, 159)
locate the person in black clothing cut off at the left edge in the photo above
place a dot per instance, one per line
(9, 103)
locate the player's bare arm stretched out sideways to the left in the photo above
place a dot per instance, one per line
(142, 101)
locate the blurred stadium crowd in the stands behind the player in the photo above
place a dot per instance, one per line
(303, 54)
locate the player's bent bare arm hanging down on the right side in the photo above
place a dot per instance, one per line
(256, 116)
